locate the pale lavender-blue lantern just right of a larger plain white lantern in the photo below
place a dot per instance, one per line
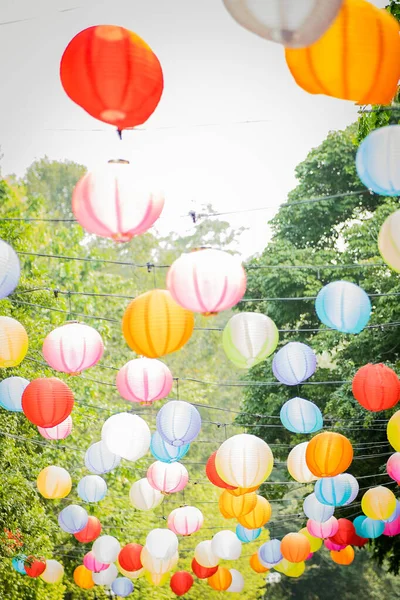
(178, 422)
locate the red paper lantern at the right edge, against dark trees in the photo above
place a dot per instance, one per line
(376, 387)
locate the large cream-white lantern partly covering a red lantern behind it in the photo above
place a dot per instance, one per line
(244, 460)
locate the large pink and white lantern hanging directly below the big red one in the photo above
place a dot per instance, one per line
(114, 202)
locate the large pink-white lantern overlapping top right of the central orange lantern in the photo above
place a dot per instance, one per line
(207, 281)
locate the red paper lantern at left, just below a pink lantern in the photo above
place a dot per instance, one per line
(47, 401)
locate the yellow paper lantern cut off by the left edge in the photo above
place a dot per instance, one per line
(13, 342)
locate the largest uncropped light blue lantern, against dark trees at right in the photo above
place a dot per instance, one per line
(343, 306)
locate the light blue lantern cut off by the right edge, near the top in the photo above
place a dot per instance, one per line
(378, 161)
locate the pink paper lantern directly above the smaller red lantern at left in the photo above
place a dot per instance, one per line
(72, 348)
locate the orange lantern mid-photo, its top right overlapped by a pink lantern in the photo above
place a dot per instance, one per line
(154, 324)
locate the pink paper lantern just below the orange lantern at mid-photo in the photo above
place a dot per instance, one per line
(144, 380)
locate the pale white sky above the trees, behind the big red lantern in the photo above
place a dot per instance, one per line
(216, 74)
